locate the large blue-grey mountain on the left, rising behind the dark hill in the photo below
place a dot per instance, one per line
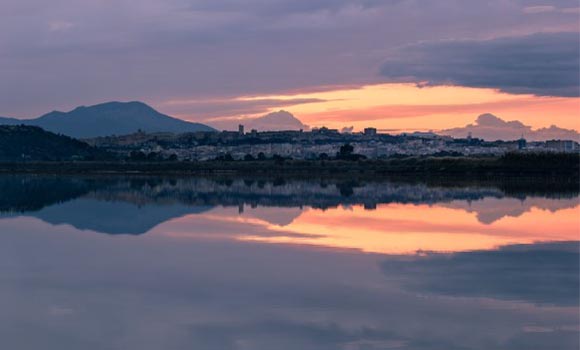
(111, 118)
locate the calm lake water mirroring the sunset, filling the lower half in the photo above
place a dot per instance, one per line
(125, 263)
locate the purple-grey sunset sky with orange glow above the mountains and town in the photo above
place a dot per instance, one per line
(392, 64)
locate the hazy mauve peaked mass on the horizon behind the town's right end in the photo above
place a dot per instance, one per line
(491, 128)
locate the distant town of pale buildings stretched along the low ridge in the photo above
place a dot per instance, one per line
(315, 144)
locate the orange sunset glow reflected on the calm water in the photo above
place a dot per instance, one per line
(401, 228)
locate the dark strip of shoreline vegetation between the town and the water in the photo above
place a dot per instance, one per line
(564, 167)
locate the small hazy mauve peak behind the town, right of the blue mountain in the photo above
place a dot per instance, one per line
(276, 121)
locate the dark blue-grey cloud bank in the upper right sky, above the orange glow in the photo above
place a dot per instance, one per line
(544, 64)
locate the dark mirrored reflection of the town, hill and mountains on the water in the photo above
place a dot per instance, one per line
(104, 204)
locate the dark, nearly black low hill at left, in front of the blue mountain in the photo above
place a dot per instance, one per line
(22, 142)
